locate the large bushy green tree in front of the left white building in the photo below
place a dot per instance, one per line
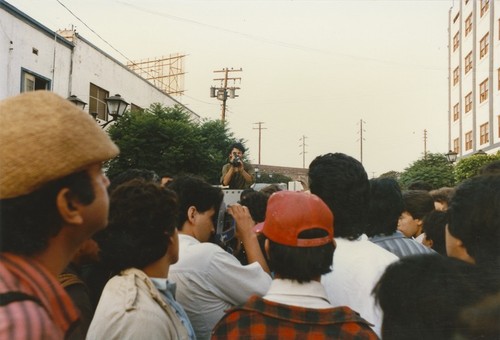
(167, 141)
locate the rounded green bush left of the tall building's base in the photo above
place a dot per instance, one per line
(433, 169)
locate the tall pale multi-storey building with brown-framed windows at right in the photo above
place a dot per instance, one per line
(474, 77)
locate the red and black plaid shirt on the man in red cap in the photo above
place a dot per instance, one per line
(263, 319)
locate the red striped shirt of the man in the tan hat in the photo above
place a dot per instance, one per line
(26, 319)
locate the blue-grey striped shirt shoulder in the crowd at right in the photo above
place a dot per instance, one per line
(401, 245)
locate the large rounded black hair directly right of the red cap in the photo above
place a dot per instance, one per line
(342, 183)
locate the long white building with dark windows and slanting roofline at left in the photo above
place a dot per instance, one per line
(34, 57)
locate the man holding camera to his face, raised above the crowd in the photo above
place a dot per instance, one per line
(236, 174)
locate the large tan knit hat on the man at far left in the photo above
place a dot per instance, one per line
(44, 137)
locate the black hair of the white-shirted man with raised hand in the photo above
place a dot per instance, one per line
(195, 191)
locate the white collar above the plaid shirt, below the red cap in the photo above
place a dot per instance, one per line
(289, 292)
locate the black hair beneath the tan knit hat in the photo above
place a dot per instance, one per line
(28, 222)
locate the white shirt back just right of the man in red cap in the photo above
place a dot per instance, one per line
(357, 267)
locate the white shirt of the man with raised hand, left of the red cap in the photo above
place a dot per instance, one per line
(210, 280)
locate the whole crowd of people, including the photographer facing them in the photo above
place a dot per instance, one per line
(141, 256)
